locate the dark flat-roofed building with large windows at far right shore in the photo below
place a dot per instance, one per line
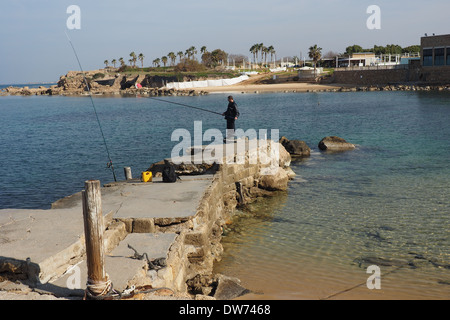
(435, 51)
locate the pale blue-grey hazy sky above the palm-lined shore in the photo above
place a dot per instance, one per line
(34, 47)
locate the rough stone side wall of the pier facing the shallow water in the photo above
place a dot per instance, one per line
(199, 246)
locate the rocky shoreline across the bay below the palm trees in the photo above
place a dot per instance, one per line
(103, 82)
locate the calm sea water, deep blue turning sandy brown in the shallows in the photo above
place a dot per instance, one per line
(371, 223)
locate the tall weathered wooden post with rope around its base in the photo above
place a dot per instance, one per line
(97, 283)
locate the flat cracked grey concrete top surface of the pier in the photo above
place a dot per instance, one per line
(53, 240)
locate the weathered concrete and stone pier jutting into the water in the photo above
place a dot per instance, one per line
(42, 252)
